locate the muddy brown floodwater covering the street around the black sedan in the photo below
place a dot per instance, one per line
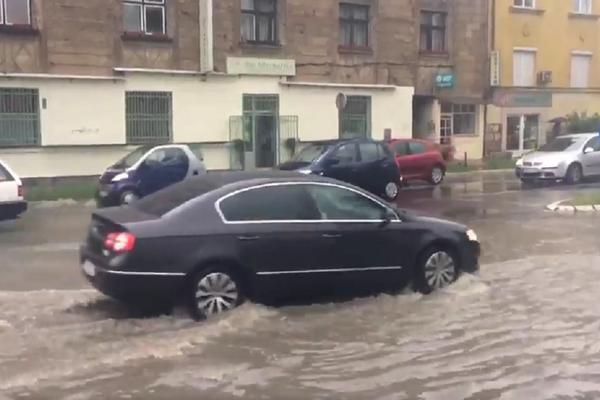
(527, 327)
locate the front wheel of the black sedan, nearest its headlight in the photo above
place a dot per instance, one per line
(437, 268)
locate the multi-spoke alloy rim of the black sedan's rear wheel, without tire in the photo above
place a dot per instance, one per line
(217, 292)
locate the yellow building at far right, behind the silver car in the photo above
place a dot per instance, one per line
(545, 65)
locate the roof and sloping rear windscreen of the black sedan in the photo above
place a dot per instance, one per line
(168, 199)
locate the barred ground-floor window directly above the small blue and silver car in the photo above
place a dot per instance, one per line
(149, 117)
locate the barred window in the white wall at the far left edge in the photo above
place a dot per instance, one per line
(19, 117)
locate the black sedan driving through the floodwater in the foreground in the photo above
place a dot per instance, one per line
(217, 240)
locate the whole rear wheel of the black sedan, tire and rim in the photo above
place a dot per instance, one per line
(214, 290)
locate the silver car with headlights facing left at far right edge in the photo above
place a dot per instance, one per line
(568, 158)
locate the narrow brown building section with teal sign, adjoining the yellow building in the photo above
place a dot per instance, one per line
(452, 73)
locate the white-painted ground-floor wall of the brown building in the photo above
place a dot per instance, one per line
(86, 118)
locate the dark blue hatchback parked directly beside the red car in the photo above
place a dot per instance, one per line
(365, 163)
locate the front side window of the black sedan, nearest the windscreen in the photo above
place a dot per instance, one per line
(341, 204)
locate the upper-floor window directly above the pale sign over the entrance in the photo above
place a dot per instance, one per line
(259, 21)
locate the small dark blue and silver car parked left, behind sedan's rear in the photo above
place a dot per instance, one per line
(147, 170)
